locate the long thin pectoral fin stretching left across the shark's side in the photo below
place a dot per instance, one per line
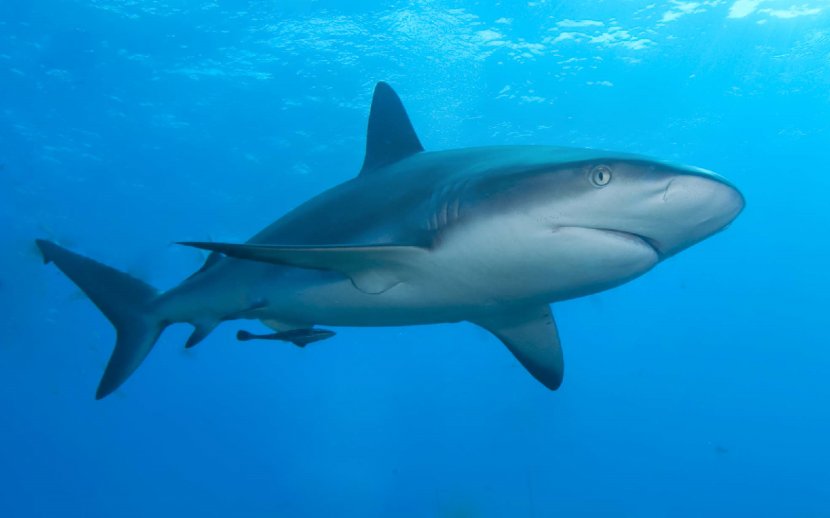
(372, 268)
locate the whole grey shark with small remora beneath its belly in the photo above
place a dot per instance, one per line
(488, 235)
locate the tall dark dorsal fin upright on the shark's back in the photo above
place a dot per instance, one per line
(390, 136)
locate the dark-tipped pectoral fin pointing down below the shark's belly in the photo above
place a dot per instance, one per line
(530, 334)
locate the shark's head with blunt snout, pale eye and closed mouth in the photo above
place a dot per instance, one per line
(599, 219)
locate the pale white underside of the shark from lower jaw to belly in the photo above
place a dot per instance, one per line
(472, 272)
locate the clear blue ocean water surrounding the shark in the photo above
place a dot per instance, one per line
(698, 389)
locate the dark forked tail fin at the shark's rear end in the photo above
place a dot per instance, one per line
(123, 299)
